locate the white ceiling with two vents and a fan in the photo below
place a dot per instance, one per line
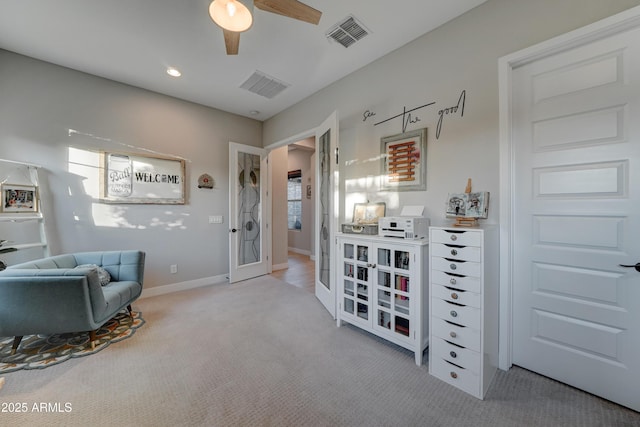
(134, 41)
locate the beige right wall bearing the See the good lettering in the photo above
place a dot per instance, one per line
(460, 55)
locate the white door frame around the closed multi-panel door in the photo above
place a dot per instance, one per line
(606, 27)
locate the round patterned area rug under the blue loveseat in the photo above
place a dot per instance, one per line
(41, 351)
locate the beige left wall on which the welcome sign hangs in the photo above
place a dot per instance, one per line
(41, 102)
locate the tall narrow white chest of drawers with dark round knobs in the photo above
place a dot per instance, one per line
(463, 306)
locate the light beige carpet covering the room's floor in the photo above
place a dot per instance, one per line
(266, 353)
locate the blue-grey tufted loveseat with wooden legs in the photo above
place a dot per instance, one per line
(52, 295)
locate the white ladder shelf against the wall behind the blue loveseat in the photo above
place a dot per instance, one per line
(24, 232)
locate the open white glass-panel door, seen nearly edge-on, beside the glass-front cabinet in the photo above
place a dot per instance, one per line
(327, 202)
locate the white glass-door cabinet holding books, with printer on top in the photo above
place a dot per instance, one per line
(382, 288)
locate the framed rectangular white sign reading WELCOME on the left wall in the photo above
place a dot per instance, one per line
(129, 178)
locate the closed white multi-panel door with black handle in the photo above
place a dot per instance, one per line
(576, 216)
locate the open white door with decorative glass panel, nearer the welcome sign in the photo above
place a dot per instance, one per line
(247, 200)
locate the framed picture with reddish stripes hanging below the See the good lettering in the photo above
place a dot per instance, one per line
(404, 161)
